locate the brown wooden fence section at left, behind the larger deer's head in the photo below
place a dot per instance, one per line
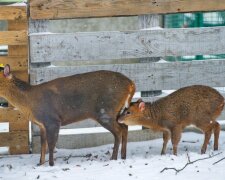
(17, 137)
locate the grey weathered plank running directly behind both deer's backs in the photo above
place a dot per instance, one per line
(148, 76)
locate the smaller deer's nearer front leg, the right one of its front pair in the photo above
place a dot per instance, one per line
(175, 137)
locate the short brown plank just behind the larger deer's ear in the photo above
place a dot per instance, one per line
(16, 63)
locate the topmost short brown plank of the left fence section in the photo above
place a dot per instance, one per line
(13, 13)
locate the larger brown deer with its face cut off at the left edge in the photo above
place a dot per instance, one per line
(100, 95)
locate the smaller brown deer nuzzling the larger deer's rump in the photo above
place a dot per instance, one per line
(197, 105)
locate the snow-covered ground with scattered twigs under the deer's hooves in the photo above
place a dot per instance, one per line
(143, 162)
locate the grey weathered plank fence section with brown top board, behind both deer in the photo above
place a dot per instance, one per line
(48, 48)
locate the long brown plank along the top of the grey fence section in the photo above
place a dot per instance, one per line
(45, 9)
